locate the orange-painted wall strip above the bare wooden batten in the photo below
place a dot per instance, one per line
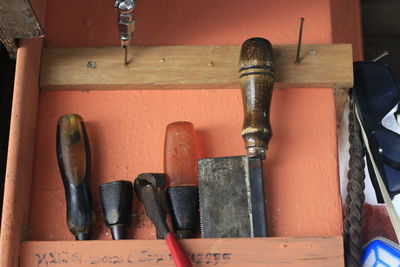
(178, 22)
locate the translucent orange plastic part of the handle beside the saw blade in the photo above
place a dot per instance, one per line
(180, 154)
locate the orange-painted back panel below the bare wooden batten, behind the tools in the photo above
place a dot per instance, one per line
(127, 128)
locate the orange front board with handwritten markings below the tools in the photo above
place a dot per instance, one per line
(278, 251)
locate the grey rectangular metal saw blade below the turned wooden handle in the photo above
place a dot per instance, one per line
(231, 195)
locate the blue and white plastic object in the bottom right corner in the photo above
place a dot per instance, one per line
(380, 252)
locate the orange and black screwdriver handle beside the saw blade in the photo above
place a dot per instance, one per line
(180, 165)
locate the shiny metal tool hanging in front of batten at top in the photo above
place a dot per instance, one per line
(126, 24)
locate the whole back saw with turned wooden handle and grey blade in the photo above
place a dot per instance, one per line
(231, 189)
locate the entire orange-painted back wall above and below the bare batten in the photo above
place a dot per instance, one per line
(127, 128)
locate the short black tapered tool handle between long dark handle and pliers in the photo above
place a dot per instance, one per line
(116, 202)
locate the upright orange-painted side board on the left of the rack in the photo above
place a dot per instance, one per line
(20, 157)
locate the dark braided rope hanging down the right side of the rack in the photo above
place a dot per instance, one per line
(355, 193)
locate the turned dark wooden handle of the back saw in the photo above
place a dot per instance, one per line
(257, 75)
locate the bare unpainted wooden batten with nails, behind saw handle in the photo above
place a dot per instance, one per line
(190, 67)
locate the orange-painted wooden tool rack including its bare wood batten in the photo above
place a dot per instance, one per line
(126, 124)
